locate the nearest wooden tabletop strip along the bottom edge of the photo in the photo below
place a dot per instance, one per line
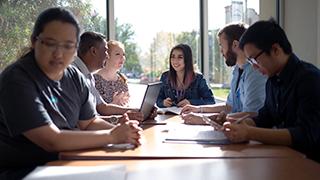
(239, 168)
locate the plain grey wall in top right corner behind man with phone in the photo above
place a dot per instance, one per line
(301, 23)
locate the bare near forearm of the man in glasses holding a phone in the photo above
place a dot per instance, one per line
(270, 136)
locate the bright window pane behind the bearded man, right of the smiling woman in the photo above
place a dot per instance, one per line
(220, 13)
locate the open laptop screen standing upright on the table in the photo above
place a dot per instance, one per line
(150, 98)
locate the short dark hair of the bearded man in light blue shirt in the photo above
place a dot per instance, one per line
(233, 32)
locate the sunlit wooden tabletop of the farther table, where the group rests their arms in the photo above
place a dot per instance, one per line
(153, 147)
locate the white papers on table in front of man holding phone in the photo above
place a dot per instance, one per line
(196, 133)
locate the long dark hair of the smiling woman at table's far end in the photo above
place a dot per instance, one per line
(189, 73)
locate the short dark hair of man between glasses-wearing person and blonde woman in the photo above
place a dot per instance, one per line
(89, 39)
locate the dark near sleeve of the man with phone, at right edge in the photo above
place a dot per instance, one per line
(306, 130)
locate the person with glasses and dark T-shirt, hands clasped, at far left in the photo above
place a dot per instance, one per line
(45, 104)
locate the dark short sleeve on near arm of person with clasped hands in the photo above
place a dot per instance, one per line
(21, 105)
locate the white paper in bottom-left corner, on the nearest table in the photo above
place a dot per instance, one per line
(115, 172)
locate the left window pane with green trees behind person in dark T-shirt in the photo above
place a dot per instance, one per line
(17, 19)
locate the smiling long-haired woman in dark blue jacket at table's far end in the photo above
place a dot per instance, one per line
(181, 84)
